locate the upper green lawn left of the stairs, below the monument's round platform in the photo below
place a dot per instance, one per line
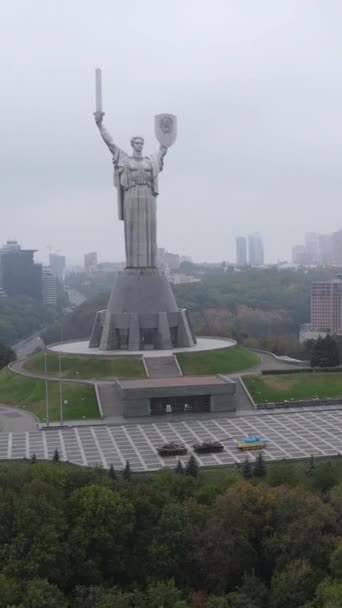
(104, 368)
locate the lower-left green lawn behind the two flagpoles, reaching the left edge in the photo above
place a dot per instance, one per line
(29, 393)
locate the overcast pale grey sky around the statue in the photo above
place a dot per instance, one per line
(257, 89)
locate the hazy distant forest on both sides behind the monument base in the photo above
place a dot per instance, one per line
(261, 307)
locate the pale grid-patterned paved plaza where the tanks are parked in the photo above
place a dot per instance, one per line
(289, 435)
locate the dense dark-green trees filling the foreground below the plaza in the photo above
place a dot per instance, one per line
(73, 538)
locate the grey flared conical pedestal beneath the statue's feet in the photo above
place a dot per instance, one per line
(142, 314)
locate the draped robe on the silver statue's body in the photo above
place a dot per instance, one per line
(137, 182)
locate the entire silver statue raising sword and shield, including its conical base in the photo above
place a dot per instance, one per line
(142, 312)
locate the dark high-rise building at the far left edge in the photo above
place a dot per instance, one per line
(19, 273)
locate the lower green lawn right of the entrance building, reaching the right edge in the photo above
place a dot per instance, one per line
(284, 387)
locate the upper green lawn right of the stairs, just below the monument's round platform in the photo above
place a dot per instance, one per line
(225, 361)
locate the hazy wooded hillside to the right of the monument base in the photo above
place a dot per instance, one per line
(256, 302)
